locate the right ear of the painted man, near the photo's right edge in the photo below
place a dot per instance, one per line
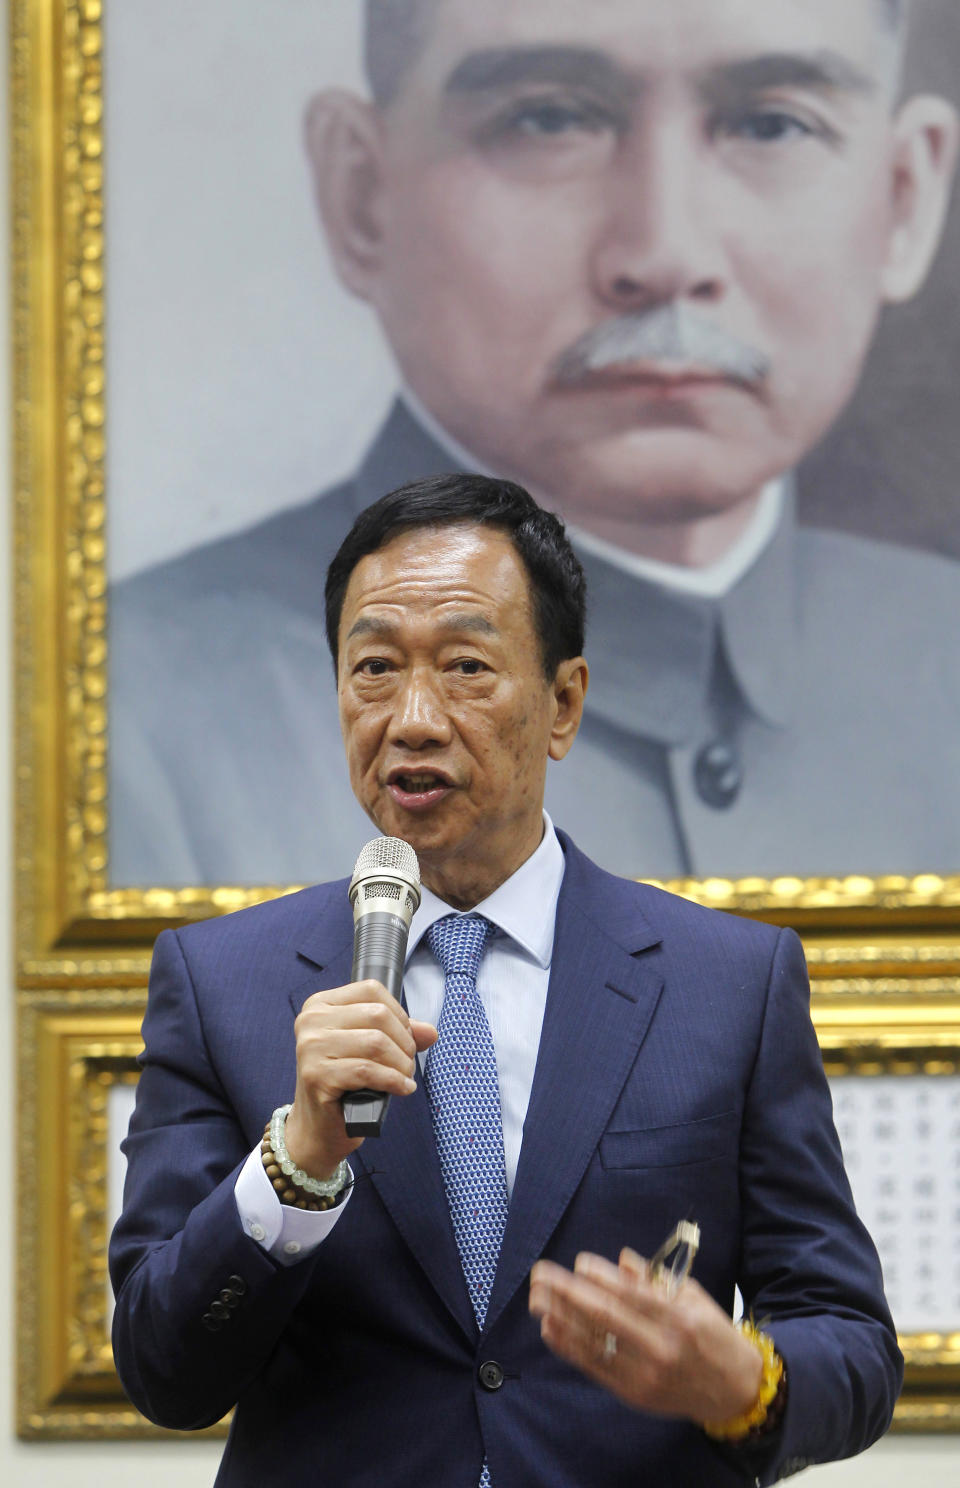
(925, 157)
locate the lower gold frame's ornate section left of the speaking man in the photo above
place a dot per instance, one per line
(77, 1048)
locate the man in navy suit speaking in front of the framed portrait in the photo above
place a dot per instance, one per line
(653, 1062)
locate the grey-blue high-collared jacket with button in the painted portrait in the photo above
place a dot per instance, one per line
(830, 673)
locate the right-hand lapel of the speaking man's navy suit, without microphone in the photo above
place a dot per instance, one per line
(601, 1002)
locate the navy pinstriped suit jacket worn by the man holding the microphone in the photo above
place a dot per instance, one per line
(678, 1077)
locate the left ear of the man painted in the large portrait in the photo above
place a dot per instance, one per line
(345, 147)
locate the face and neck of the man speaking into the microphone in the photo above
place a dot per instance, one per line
(446, 713)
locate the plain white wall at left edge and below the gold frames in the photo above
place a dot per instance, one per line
(153, 1465)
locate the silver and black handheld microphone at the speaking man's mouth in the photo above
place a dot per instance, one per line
(385, 894)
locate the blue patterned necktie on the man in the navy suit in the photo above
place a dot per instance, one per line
(465, 1103)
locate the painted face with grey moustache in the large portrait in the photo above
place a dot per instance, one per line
(551, 166)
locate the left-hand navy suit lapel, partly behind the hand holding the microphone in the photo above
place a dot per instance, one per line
(403, 1163)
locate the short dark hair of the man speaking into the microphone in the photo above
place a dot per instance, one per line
(557, 584)
